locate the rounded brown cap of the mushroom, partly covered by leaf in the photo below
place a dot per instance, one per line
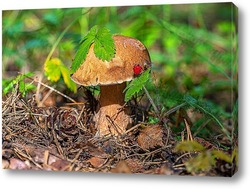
(129, 53)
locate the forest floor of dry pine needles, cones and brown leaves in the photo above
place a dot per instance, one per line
(63, 139)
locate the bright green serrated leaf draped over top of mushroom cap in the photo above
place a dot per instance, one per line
(104, 47)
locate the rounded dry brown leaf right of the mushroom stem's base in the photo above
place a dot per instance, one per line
(150, 137)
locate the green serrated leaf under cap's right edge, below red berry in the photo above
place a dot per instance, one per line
(136, 85)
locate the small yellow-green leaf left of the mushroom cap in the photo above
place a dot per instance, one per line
(52, 69)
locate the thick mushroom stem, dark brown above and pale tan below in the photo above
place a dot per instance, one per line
(112, 117)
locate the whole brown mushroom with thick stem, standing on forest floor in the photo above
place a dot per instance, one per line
(131, 59)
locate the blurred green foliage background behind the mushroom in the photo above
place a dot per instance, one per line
(193, 48)
